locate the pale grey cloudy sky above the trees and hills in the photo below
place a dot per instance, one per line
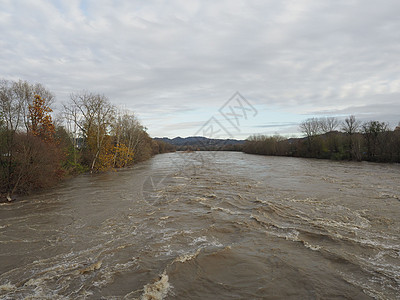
(178, 64)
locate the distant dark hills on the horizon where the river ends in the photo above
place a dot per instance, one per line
(203, 143)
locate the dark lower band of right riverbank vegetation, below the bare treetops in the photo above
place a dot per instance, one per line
(383, 147)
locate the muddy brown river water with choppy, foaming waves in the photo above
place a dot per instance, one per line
(209, 225)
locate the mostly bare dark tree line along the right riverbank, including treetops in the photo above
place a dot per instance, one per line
(330, 138)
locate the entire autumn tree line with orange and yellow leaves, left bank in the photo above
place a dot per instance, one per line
(91, 134)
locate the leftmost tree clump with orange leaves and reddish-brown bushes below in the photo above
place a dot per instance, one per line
(29, 157)
